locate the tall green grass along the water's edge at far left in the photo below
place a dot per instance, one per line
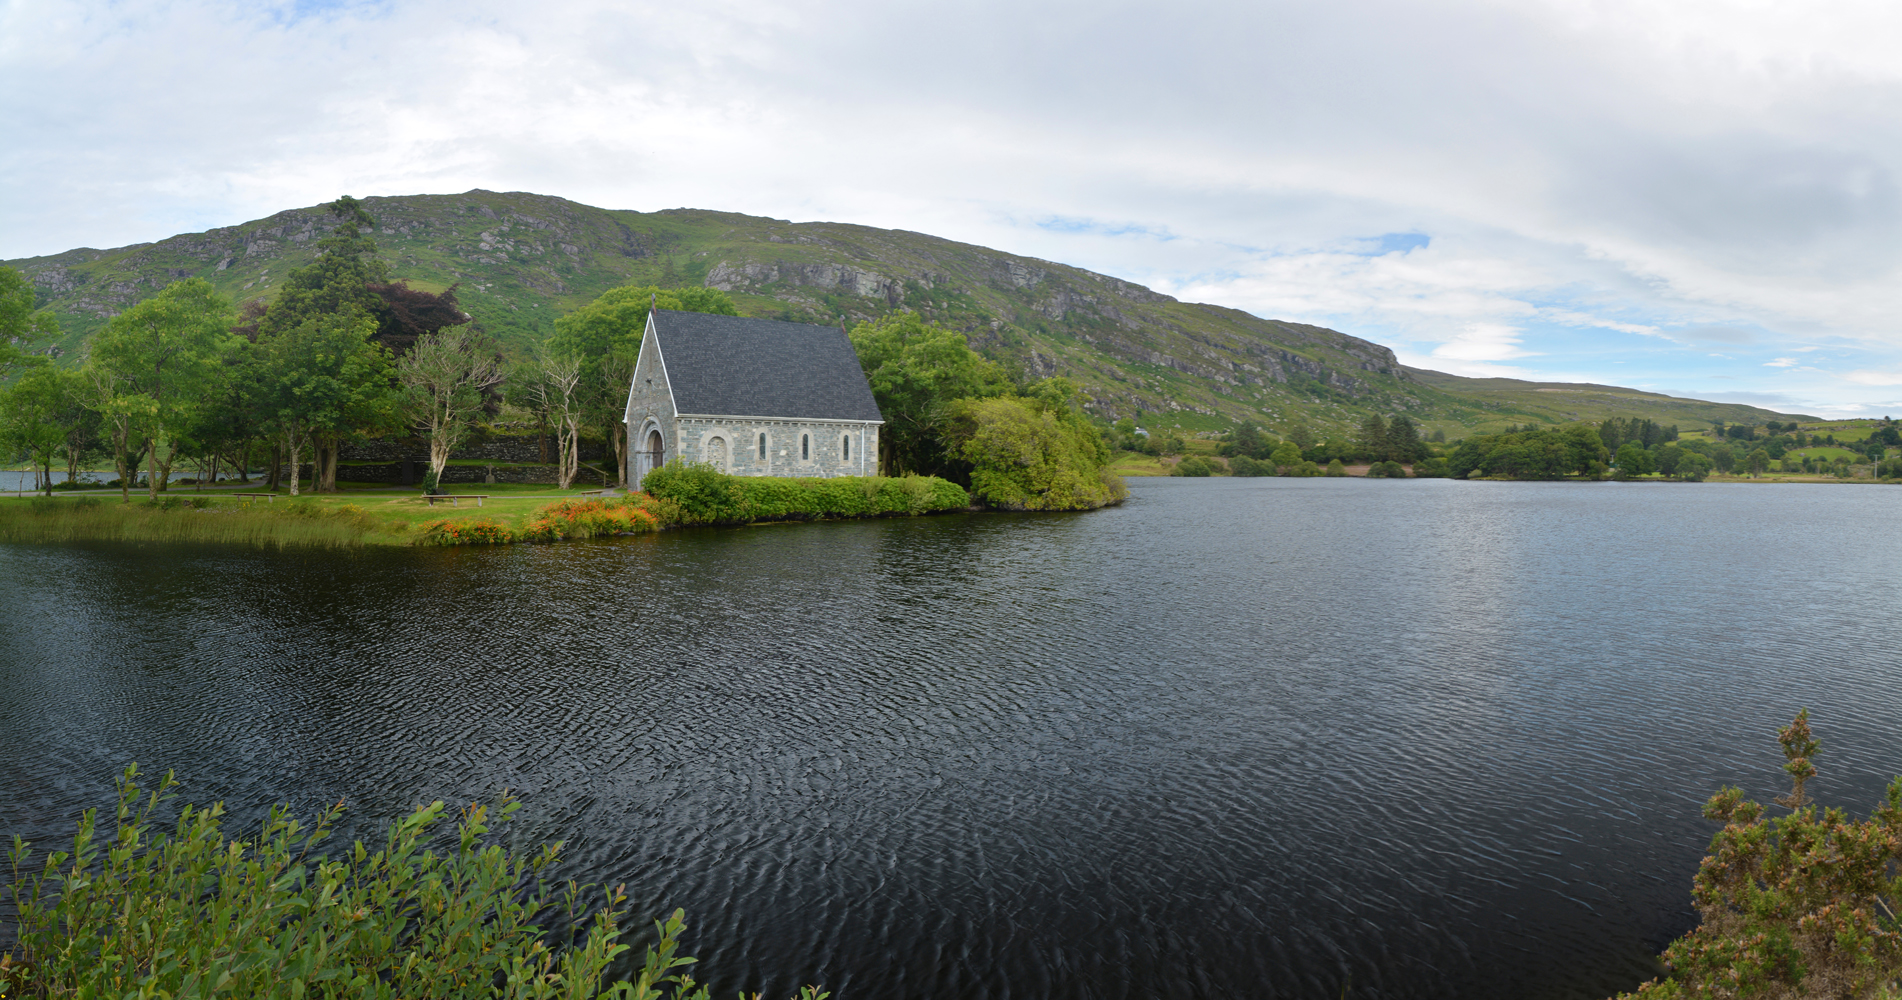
(92, 520)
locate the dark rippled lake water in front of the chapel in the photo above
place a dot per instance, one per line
(1235, 739)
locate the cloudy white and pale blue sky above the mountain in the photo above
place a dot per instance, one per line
(1696, 199)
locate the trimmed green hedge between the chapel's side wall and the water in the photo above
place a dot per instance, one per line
(708, 497)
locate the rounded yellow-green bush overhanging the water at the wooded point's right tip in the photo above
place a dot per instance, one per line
(1036, 453)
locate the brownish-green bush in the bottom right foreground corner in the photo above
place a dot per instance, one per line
(1793, 908)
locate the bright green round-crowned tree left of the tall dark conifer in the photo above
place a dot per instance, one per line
(166, 355)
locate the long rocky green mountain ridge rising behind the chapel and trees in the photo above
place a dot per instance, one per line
(518, 261)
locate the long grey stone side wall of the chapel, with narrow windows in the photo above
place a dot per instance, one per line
(828, 453)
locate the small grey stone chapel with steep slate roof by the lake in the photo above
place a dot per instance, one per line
(750, 398)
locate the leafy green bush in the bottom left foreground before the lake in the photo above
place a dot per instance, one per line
(195, 913)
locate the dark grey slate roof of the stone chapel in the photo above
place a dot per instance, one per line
(731, 366)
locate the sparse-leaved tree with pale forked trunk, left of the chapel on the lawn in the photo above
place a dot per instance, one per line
(446, 379)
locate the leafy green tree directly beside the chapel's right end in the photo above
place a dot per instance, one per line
(918, 375)
